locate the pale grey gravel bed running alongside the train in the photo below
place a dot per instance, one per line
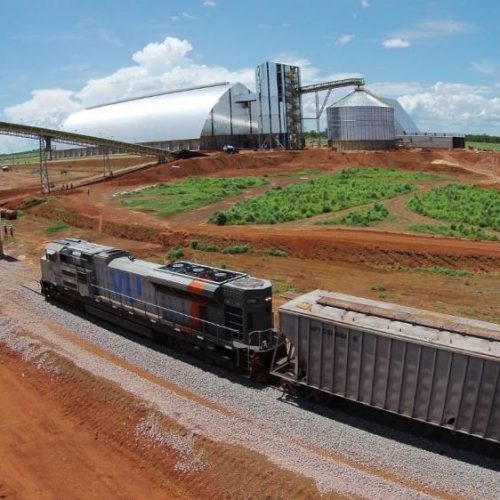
(280, 429)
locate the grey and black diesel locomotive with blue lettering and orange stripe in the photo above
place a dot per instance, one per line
(221, 314)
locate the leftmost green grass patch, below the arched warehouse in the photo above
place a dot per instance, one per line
(182, 196)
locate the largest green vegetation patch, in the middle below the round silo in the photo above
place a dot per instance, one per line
(328, 193)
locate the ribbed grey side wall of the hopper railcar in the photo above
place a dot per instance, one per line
(424, 382)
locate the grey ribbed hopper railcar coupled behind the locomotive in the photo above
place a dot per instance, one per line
(435, 368)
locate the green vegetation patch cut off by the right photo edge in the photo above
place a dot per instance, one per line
(460, 204)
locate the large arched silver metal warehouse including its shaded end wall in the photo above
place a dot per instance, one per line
(177, 116)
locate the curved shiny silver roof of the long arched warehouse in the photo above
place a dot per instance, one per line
(177, 115)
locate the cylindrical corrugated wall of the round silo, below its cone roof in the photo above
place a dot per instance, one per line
(361, 123)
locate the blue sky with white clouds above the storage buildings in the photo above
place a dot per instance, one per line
(441, 59)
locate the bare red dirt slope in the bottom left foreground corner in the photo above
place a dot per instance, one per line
(69, 434)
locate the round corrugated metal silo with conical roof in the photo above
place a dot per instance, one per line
(361, 121)
